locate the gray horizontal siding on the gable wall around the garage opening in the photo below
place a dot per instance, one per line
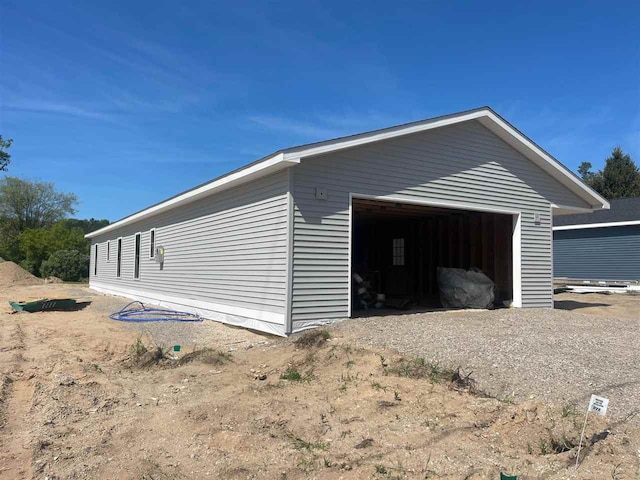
(462, 163)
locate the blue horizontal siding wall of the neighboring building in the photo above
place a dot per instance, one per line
(609, 253)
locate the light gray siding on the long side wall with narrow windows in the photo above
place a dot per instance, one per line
(228, 249)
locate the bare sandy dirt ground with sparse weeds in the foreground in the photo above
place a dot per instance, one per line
(79, 398)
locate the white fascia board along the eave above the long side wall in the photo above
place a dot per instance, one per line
(261, 169)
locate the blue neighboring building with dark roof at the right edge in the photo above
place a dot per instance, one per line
(600, 246)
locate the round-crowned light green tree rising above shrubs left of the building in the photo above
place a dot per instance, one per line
(25, 204)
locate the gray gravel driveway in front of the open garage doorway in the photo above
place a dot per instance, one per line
(589, 344)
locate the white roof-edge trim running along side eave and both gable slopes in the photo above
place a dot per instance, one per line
(292, 156)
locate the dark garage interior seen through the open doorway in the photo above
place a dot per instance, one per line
(397, 248)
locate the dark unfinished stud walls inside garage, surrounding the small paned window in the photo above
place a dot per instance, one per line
(457, 240)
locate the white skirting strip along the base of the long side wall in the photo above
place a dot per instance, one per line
(269, 322)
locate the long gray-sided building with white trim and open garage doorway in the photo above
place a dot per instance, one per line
(273, 246)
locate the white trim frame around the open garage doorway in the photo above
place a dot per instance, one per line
(516, 236)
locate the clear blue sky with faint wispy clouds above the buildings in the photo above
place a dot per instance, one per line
(127, 103)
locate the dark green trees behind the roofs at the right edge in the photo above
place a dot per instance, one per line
(619, 178)
